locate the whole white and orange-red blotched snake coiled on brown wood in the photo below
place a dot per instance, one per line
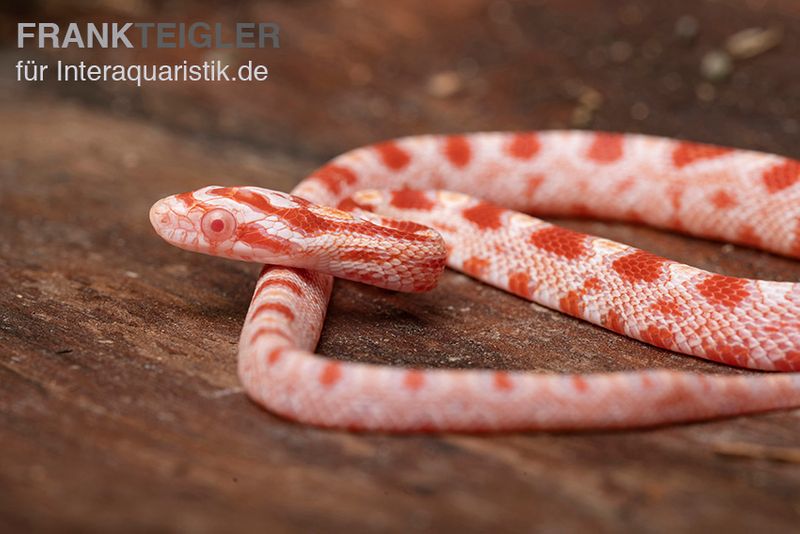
(394, 214)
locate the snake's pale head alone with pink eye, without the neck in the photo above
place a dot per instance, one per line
(241, 223)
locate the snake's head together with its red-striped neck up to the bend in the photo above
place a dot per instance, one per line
(254, 224)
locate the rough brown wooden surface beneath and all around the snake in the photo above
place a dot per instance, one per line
(119, 403)
